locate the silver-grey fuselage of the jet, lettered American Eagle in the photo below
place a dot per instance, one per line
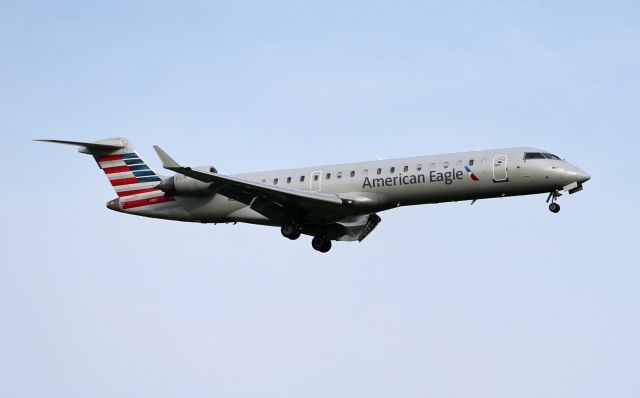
(384, 184)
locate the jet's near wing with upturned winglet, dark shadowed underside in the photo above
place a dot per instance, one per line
(276, 203)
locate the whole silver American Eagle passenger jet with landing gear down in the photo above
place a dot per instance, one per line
(328, 203)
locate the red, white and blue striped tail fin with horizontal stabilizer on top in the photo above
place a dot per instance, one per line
(128, 174)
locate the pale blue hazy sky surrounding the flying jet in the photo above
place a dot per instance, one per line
(501, 299)
